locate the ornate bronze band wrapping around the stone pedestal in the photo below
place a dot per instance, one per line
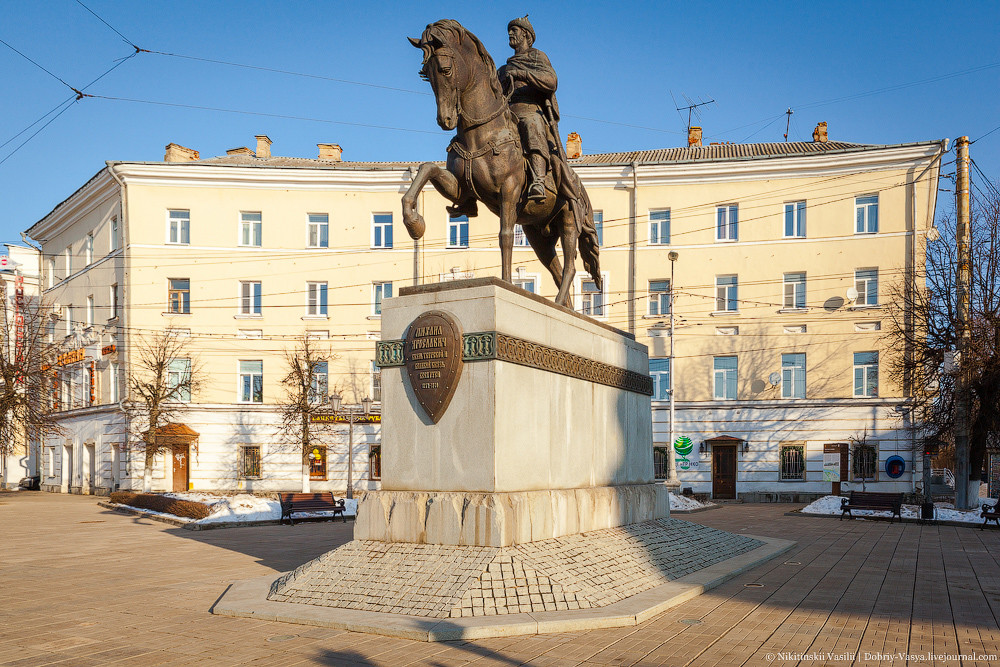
(488, 345)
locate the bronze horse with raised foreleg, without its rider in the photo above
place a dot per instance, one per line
(486, 162)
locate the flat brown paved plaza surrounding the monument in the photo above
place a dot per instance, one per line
(82, 585)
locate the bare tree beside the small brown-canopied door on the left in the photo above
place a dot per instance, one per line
(162, 377)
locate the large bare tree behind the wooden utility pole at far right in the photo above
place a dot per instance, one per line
(924, 328)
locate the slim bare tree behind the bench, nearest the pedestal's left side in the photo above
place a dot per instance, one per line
(306, 386)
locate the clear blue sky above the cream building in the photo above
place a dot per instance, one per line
(618, 65)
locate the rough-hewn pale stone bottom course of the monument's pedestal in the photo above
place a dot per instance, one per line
(504, 519)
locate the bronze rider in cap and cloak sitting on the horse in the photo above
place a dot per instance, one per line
(531, 82)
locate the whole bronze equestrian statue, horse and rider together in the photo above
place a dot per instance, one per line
(507, 152)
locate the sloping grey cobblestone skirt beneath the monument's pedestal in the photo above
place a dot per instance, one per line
(584, 571)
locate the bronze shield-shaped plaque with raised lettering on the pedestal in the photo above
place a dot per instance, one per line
(433, 356)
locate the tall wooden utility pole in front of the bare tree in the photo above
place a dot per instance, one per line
(962, 285)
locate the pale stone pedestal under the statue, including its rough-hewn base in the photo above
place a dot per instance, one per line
(548, 432)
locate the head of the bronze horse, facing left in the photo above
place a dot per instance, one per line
(447, 65)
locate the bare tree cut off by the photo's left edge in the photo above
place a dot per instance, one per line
(26, 406)
